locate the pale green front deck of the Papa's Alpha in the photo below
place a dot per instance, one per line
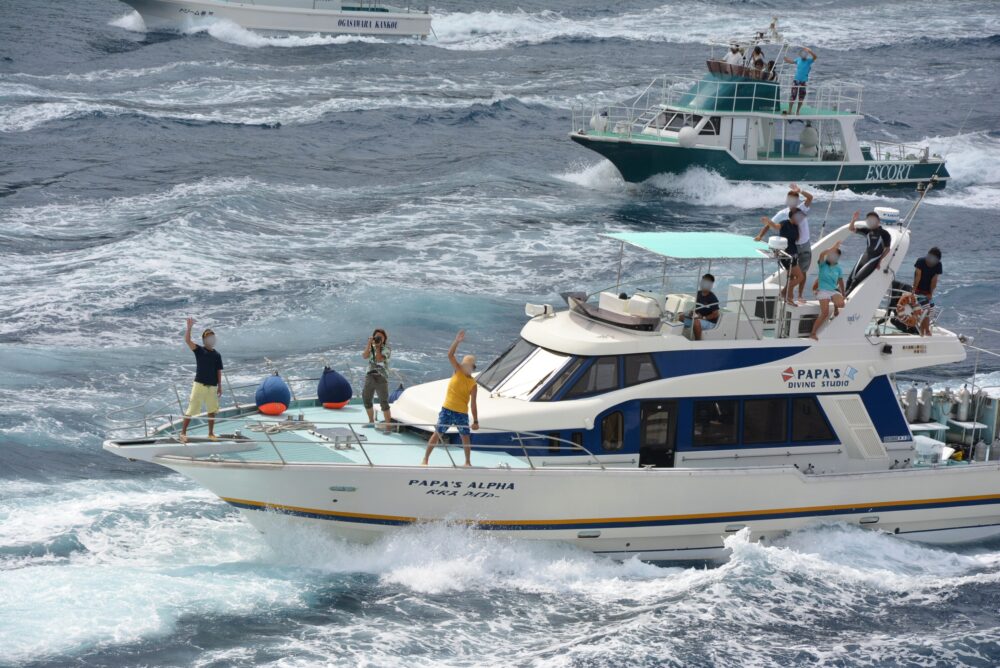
(309, 434)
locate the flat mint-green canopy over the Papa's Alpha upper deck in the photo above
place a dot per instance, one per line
(696, 245)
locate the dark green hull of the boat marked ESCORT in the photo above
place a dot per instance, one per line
(638, 160)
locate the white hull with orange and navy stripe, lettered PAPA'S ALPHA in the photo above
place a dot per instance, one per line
(655, 514)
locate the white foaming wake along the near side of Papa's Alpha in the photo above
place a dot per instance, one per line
(158, 559)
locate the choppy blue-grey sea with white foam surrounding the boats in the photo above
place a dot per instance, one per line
(294, 192)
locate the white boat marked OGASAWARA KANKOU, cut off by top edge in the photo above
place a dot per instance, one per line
(353, 17)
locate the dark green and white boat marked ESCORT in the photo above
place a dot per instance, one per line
(736, 121)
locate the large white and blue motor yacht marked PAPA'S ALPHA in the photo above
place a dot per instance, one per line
(608, 427)
